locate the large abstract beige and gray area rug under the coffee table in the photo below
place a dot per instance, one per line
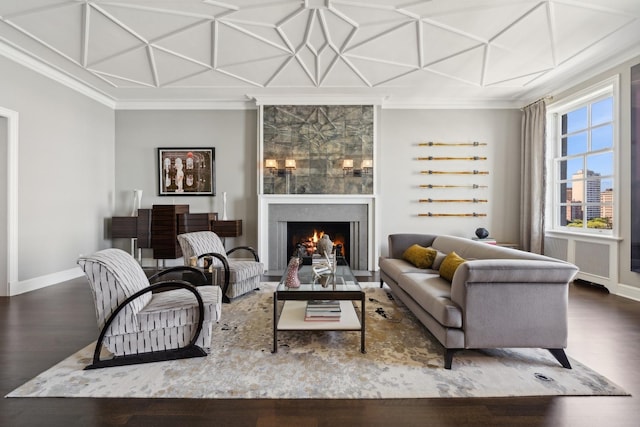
(402, 360)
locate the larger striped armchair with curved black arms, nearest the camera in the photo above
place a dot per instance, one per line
(145, 321)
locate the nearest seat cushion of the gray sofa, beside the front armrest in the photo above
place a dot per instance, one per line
(433, 293)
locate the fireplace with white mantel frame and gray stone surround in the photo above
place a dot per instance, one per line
(353, 216)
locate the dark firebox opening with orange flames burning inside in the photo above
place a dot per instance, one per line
(308, 234)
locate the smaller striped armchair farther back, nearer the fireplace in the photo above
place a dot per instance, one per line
(240, 276)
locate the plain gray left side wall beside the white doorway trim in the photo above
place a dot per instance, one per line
(66, 170)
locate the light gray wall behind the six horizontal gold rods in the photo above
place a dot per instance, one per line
(402, 130)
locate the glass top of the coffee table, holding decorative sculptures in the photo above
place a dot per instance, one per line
(343, 280)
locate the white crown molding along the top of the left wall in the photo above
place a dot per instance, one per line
(54, 74)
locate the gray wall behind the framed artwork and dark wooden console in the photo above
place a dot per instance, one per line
(232, 133)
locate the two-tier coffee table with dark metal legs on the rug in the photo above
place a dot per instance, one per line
(341, 286)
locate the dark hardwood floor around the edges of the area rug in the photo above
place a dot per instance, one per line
(40, 328)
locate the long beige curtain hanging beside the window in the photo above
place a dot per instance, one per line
(532, 195)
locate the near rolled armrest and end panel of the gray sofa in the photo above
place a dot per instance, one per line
(513, 303)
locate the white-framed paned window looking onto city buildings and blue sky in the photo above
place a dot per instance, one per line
(583, 140)
